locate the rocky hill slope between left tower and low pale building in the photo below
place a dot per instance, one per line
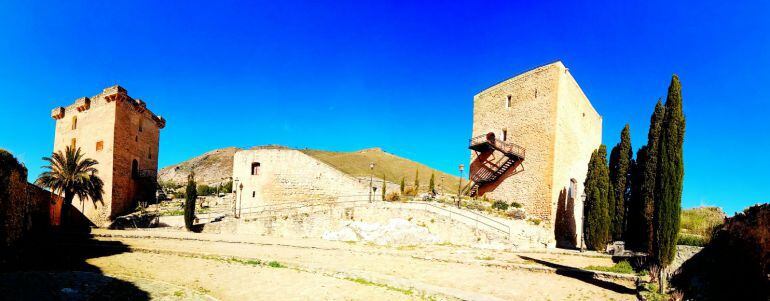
(209, 168)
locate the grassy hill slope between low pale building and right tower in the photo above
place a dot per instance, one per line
(387, 165)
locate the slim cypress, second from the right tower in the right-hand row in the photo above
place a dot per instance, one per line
(620, 167)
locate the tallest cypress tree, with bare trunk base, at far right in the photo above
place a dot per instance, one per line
(668, 188)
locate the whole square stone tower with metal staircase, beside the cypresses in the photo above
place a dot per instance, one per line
(533, 137)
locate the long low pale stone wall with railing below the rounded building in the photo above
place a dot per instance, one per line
(448, 226)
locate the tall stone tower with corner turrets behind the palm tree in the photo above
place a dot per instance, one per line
(122, 135)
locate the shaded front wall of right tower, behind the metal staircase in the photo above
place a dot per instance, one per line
(530, 122)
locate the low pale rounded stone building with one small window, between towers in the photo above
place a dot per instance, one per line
(276, 174)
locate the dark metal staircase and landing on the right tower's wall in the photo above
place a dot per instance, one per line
(490, 172)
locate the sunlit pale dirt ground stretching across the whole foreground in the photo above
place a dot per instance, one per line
(455, 271)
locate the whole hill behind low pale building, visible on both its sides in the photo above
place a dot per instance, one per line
(214, 165)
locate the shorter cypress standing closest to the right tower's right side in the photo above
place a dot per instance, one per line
(596, 211)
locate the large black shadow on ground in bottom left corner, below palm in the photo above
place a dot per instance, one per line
(54, 267)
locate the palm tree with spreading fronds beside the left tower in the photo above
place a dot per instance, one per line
(71, 174)
